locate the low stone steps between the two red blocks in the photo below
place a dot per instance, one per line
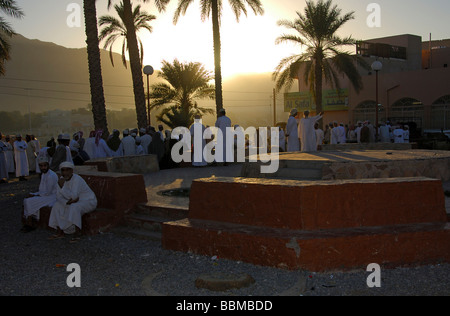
(147, 219)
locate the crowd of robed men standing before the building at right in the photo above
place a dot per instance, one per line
(306, 136)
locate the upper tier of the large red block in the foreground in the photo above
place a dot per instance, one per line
(313, 205)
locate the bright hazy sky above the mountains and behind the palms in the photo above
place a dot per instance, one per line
(248, 46)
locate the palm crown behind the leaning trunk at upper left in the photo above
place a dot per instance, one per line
(115, 29)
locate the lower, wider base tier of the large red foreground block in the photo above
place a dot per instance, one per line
(339, 249)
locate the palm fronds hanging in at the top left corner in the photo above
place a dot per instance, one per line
(10, 8)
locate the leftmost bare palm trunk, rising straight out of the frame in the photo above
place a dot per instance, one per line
(95, 68)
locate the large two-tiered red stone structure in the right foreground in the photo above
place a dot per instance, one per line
(316, 226)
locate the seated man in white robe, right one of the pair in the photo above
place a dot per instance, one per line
(74, 198)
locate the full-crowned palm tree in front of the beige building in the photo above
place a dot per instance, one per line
(322, 56)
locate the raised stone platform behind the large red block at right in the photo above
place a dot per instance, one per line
(357, 164)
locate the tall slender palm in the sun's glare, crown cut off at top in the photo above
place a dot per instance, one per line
(214, 8)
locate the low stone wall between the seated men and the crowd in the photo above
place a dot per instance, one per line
(128, 164)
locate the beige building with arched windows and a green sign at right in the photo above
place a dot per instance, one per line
(413, 85)
